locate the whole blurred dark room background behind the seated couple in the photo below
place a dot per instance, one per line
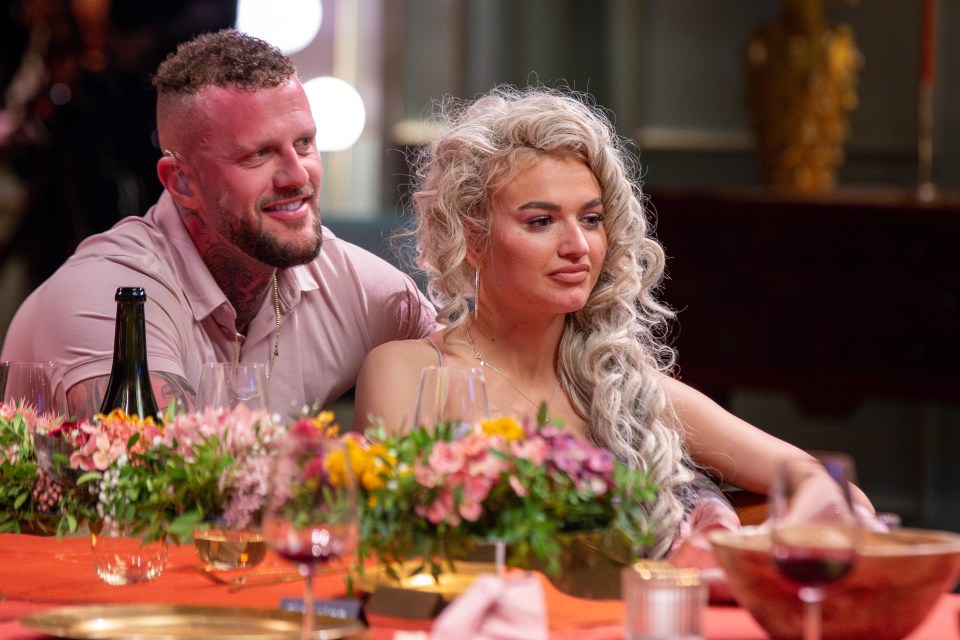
(800, 158)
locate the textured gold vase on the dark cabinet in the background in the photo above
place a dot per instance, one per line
(801, 86)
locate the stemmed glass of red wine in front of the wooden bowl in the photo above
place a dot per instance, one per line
(814, 529)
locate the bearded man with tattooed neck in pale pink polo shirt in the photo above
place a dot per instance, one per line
(230, 256)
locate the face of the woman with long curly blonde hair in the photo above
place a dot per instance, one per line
(547, 241)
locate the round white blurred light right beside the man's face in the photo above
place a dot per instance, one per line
(338, 110)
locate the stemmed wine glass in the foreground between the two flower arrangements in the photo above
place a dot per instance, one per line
(310, 516)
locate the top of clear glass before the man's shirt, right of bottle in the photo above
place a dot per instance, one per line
(224, 385)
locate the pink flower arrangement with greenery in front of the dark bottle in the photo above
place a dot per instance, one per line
(159, 480)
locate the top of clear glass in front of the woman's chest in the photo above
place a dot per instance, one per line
(456, 395)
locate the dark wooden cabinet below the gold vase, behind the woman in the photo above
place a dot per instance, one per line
(832, 299)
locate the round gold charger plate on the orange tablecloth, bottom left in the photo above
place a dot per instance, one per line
(157, 622)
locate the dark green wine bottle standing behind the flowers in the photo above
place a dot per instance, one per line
(129, 387)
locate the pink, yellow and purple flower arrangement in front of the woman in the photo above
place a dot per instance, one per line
(438, 494)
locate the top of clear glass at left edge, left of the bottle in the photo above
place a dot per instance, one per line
(37, 385)
